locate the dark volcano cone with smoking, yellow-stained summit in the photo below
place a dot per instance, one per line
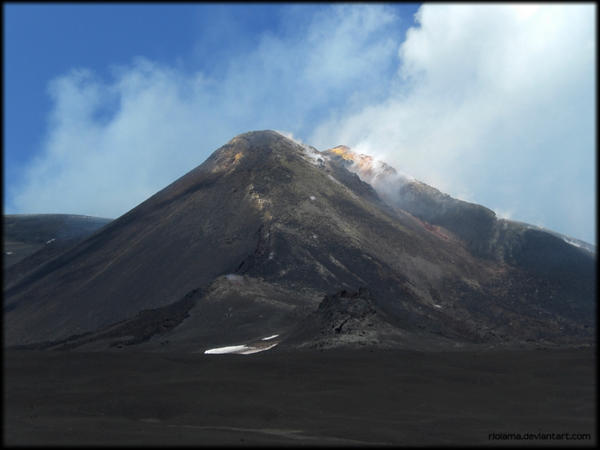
(270, 237)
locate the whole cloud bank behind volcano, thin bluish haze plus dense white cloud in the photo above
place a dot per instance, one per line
(490, 103)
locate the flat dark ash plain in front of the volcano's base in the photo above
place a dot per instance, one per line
(335, 397)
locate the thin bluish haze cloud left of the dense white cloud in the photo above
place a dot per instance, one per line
(111, 143)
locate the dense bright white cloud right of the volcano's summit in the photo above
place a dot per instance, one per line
(496, 104)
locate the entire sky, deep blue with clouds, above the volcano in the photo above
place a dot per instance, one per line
(105, 104)
